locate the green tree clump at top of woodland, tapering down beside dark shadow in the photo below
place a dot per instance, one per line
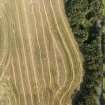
(82, 14)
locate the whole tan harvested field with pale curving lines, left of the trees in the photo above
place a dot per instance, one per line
(40, 62)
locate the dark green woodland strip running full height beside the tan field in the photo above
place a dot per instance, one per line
(87, 22)
